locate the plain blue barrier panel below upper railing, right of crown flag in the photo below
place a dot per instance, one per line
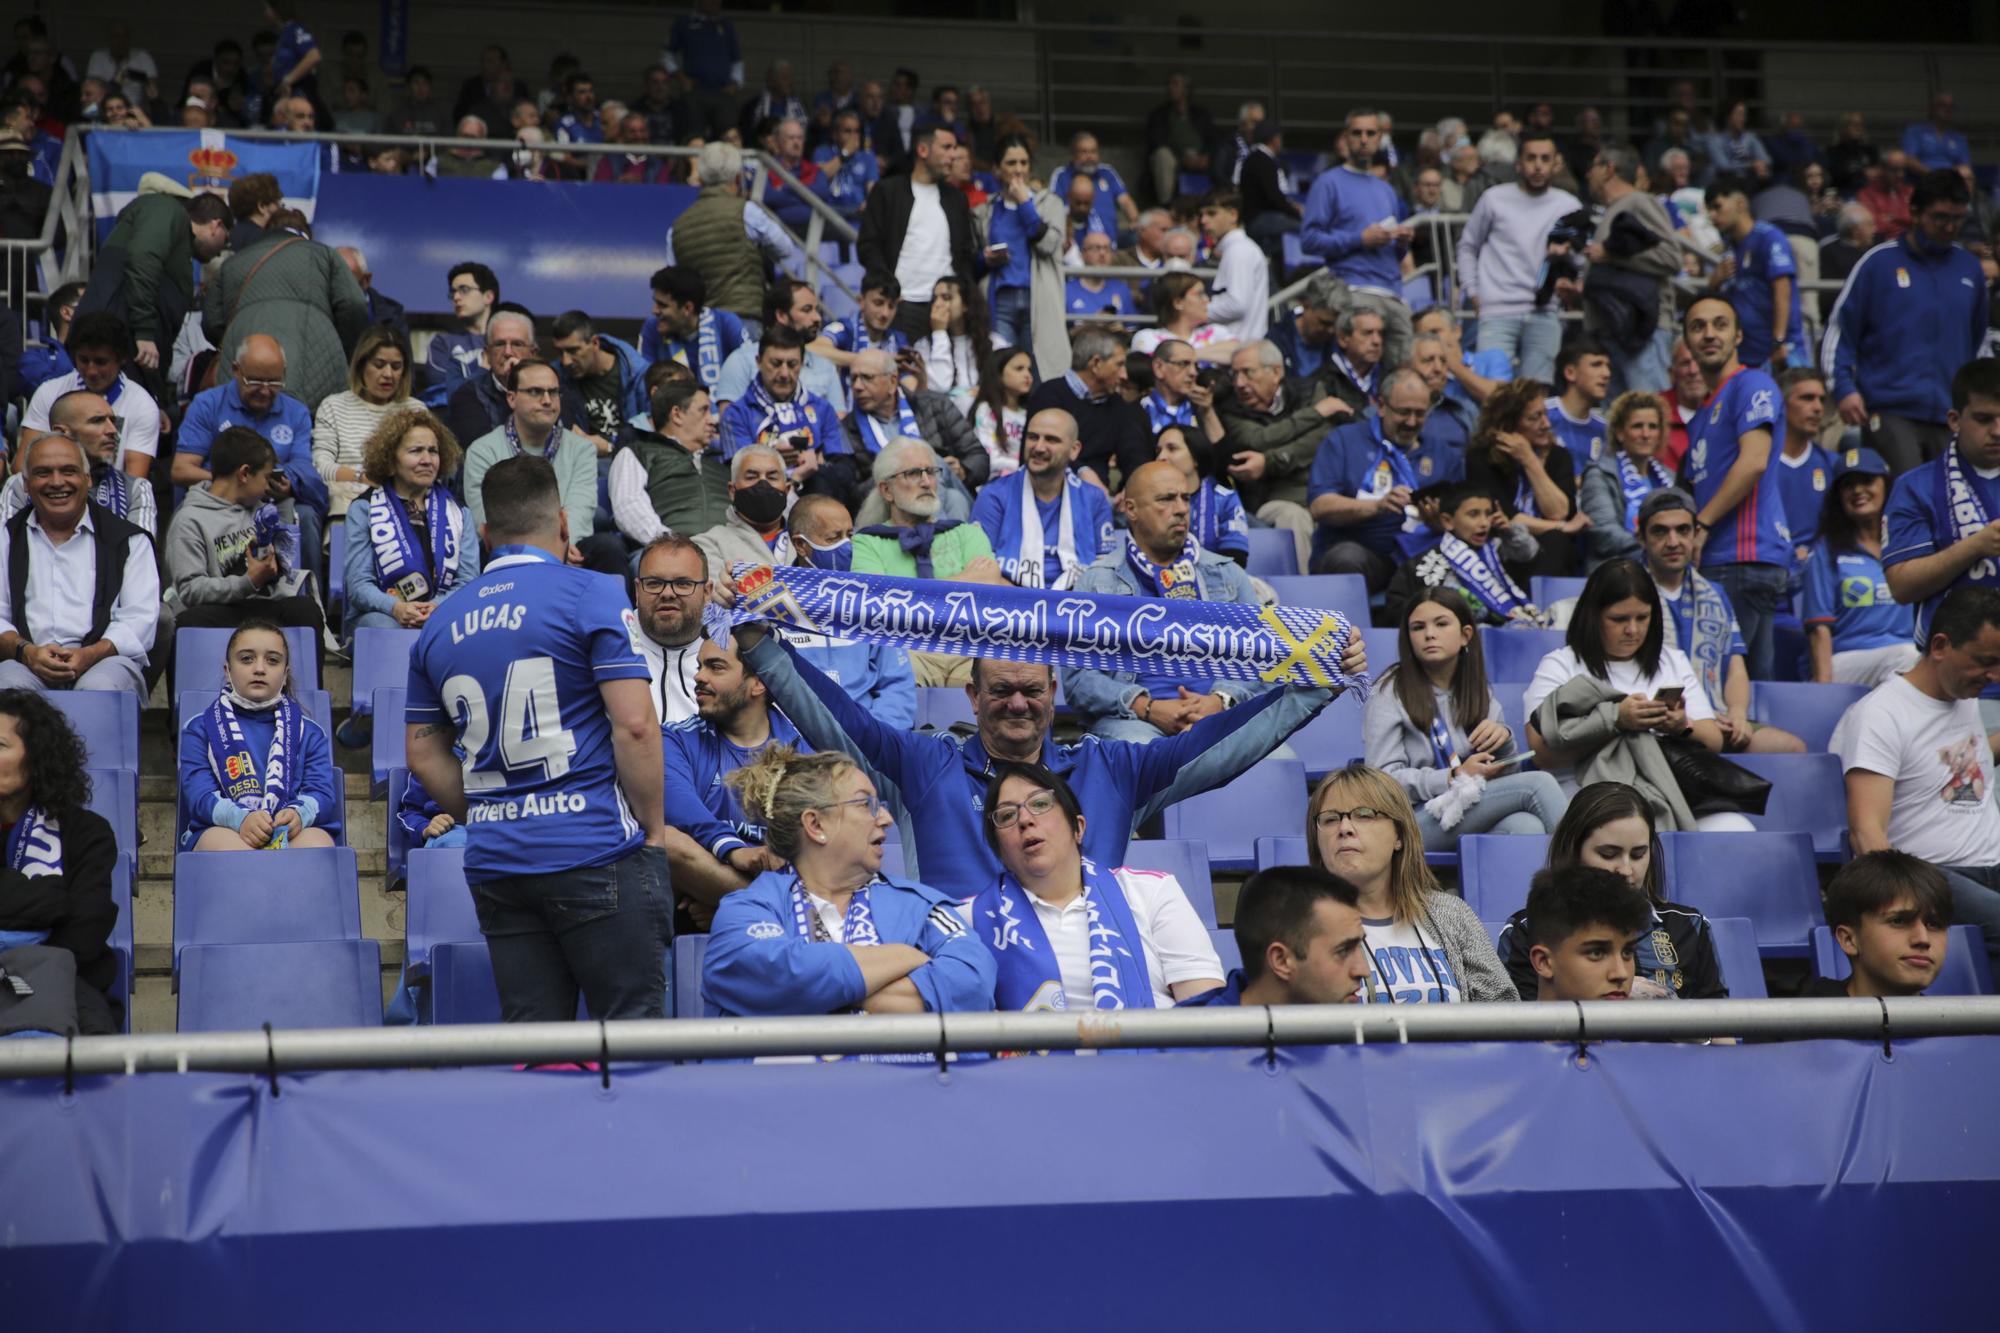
(553, 245)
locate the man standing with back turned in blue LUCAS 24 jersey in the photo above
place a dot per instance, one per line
(535, 674)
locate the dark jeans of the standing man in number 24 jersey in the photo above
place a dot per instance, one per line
(603, 930)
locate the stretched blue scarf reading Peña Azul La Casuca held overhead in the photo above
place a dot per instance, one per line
(1147, 635)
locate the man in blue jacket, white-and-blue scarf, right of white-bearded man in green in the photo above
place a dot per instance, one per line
(1045, 523)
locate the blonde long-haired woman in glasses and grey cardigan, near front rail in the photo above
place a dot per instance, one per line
(1427, 944)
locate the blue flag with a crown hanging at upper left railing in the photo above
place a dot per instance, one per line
(199, 161)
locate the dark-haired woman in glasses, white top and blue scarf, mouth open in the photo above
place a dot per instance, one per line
(1069, 934)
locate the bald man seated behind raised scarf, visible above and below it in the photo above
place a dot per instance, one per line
(1159, 557)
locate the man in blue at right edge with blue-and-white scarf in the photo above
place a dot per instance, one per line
(1945, 517)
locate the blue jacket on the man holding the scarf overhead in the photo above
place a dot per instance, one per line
(937, 784)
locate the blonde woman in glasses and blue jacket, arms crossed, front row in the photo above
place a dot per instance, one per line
(833, 934)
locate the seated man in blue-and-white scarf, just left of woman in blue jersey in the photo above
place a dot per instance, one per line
(1703, 625)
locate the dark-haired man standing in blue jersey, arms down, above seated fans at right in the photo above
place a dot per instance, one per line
(1731, 445)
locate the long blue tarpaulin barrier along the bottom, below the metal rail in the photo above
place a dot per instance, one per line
(1795, 1188)
